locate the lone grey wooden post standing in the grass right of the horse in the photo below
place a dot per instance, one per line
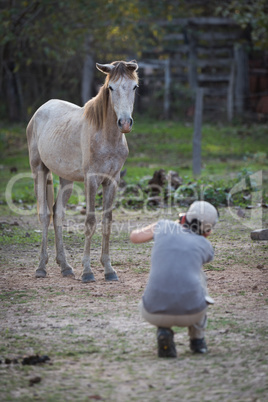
(197, 137)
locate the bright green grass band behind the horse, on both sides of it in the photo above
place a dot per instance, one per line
(226, 151)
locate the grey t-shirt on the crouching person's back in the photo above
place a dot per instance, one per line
(175, 285)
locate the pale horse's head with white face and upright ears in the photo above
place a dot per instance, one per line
(121, 82)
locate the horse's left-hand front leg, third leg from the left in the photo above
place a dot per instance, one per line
(91, 187)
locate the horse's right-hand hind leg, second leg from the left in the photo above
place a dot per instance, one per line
(64, 194)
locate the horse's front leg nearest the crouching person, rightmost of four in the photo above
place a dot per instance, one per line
(109, 191)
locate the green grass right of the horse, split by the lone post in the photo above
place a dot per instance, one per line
(168, 145)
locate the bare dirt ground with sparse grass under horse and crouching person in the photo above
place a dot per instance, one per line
(99, 347)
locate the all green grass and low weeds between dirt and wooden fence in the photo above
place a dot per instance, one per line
(229, 154)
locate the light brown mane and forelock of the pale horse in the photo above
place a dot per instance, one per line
(96, 108)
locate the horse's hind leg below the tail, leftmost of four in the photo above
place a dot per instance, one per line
(41, 174)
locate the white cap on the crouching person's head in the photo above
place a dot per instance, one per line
(203, 212)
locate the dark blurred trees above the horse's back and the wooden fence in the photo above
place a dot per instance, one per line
(46, 46)
